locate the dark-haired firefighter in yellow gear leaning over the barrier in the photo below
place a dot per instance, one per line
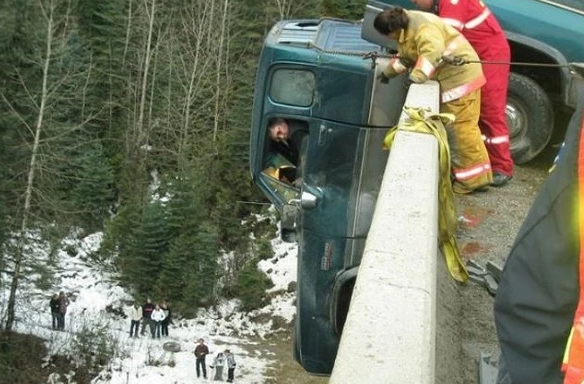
(423, 39)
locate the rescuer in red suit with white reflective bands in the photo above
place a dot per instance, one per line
(482, 30)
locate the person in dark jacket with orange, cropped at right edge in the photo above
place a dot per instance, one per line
(539, 306)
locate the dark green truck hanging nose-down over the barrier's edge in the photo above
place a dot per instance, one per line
(319, 77)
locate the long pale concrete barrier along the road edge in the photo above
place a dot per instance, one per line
(390, 335)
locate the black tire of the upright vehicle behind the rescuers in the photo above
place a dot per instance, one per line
(530, 118)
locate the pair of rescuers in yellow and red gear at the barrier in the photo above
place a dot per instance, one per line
(447, 44)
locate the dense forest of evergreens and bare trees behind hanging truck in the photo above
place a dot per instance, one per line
(132, 117)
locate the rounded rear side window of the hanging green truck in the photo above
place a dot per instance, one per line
(292, 87)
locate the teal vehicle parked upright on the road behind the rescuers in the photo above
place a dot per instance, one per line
(549, 32)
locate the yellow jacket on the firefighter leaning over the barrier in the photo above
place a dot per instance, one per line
(422, 46)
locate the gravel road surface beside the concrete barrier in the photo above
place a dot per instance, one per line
(490, 222)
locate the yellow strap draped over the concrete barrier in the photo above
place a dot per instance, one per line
(421, 121)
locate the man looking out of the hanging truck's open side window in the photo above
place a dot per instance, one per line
(288, 140)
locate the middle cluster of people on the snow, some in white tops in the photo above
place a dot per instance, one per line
(155, 316)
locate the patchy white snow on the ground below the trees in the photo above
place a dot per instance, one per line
(92, 289)
